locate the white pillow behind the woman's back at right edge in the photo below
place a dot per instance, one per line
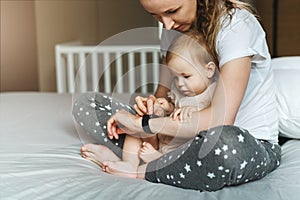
(287, 80)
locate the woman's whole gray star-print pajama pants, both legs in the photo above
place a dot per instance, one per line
(215, 158)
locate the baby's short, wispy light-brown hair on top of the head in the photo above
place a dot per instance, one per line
(193, 43)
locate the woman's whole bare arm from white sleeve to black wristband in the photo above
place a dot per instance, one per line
(230, 90)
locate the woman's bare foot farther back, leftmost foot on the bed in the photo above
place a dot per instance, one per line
(98, 153)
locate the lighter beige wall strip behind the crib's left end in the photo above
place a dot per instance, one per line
(57, 22)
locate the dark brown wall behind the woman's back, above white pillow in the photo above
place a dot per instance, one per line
(288, 29)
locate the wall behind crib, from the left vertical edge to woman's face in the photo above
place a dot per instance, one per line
(89, 21)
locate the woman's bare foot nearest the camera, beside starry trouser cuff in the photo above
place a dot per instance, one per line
(120, 168)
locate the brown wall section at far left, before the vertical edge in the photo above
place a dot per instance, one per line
(18, 47)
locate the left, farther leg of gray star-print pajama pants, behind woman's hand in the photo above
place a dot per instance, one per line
(92, 110)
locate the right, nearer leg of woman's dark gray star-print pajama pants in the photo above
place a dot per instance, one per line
(222, 156)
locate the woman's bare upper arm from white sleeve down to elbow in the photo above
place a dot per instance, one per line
(230, 90)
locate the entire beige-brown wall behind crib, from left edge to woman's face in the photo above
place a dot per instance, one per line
(30, 29)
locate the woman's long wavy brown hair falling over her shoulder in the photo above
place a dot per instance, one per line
(209, 13)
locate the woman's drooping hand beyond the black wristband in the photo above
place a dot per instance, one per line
(123, 122)
